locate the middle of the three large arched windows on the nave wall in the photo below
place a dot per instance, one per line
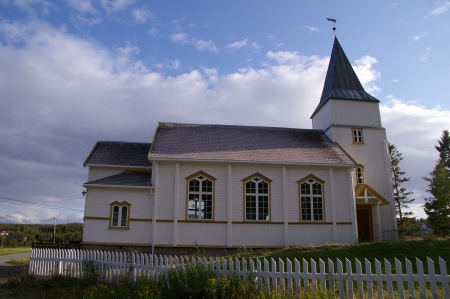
(257, 198)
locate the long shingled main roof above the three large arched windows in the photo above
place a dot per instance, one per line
(245, 144)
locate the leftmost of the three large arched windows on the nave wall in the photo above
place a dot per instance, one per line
(200, 196)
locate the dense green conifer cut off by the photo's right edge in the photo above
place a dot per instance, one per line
(437, 207)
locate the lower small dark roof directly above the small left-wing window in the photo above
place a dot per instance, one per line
(126, 178)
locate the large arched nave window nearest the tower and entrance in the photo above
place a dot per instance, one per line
(311, 199)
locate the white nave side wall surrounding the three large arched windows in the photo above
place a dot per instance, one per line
(224, 231)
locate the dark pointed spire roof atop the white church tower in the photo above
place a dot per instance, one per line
(341, 81)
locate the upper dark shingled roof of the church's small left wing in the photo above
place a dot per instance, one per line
(119, 153)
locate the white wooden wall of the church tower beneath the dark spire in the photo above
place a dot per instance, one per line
(338, 117)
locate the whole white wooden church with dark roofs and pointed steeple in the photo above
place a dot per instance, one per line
(227, 186)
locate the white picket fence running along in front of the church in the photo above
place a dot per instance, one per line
(337, 277)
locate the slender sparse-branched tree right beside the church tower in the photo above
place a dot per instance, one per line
(401, 195)
